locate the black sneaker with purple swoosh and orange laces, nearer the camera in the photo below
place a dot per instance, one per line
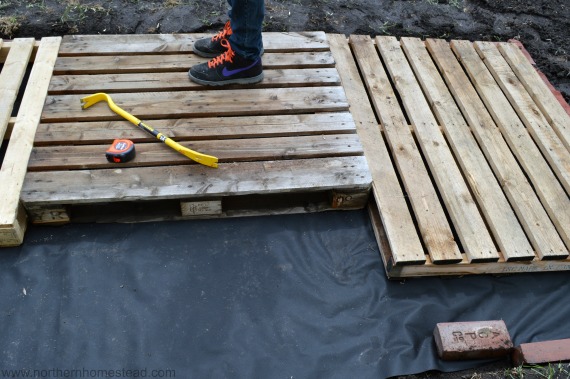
(227, 68)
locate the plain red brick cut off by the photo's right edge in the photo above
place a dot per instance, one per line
(542, 352)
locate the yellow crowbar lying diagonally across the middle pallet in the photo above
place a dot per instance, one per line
(204, 159)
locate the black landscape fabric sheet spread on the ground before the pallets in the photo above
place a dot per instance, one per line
(296, 296)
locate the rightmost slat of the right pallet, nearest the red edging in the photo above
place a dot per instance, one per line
(535, 86)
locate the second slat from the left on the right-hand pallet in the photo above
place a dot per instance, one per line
(429, 213)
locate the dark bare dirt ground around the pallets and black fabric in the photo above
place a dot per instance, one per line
(541, 25)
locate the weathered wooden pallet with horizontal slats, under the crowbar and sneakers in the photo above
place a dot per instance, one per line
(288, 144)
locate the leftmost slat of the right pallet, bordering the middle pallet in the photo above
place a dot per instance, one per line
(403, 239)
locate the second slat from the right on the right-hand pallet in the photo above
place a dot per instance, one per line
(544, 136)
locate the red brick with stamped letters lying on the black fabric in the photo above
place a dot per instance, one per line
(472, 340)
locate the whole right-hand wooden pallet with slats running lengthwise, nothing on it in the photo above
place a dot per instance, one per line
(468, 153)
